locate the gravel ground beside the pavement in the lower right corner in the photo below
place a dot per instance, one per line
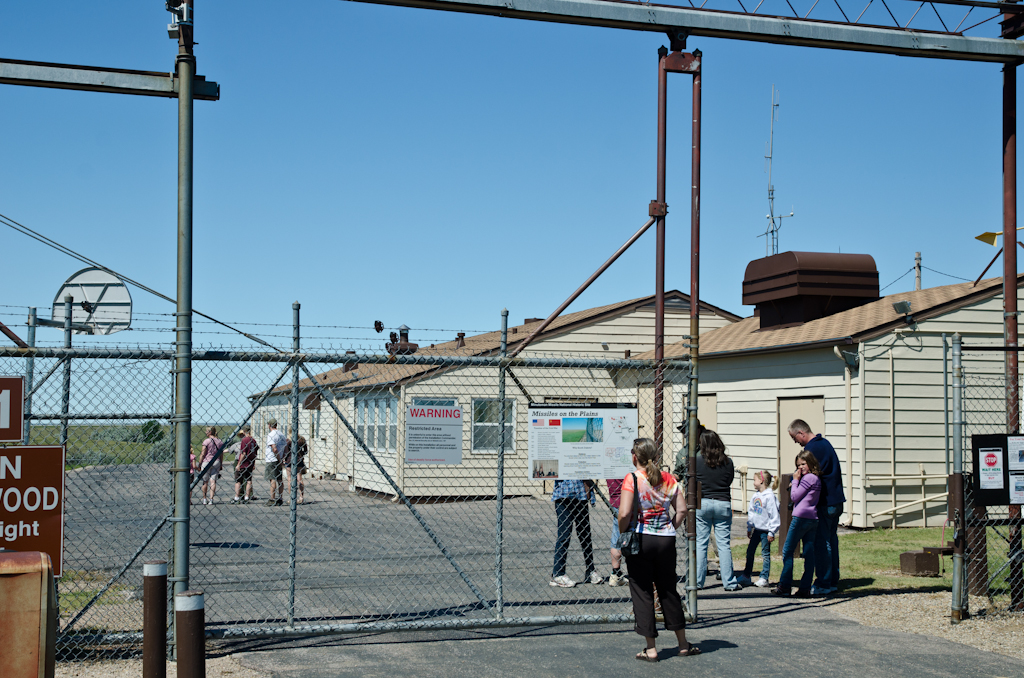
(928, 615)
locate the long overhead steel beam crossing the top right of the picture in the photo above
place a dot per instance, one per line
(717, 24)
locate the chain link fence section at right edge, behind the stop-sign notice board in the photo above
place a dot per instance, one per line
(993, 554)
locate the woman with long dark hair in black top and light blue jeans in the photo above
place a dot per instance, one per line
(715, 474)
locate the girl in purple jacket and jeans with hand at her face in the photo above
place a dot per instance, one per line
(804, 493)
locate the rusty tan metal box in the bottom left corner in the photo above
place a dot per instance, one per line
(28, 615)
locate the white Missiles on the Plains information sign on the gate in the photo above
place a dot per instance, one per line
(587, 442)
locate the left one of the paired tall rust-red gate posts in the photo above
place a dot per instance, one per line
(663, 95)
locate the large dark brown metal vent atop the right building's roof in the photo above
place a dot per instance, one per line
(794, 288)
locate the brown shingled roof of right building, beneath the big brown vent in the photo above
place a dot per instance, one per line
(850, 326)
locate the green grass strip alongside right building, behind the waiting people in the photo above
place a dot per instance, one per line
(870, 561)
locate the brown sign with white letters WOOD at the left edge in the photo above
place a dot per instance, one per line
(32, 501)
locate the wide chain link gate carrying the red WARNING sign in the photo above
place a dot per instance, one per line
(364, 540)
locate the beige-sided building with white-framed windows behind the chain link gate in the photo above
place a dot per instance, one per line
(374, 399)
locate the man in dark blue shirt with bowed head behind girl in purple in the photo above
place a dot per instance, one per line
(830, 506)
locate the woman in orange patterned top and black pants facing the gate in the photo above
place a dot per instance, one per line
(655, 566)
